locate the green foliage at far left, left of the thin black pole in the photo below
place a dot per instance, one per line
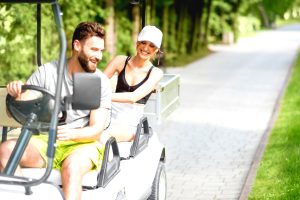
(17, 41)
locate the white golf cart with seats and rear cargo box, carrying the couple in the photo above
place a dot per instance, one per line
(130, 170)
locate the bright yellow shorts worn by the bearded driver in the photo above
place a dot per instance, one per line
(65, 148)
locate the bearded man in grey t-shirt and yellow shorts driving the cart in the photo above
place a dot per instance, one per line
(78, 150)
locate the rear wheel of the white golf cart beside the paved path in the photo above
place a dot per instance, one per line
(159, 185)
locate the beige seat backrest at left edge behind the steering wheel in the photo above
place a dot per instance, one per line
(5, 119)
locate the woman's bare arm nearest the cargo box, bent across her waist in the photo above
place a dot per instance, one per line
(147, 87)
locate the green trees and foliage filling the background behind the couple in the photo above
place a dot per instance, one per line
(187, 26)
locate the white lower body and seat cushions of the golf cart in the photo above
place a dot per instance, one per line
(134, 180)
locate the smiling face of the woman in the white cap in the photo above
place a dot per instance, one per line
(146, 49)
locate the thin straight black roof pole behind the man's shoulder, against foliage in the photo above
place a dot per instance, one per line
(38, 34)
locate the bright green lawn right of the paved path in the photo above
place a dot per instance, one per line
(278, 176)
